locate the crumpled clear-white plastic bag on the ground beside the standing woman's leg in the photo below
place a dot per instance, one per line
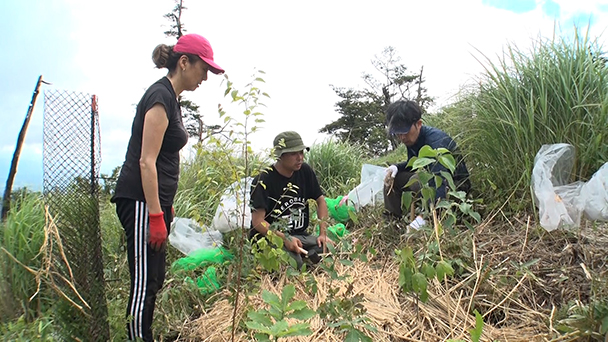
(187, 236)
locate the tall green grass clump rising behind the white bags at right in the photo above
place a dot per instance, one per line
(554, 93)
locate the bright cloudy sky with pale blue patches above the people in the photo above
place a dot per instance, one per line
(104, 48)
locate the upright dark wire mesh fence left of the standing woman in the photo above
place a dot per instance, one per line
(71, 158)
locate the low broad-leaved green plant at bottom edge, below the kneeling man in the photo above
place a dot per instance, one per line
(271, 324)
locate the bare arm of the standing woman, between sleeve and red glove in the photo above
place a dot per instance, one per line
(155, 125)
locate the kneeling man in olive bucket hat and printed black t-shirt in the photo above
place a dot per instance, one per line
(281, 192)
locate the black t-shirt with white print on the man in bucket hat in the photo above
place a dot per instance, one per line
(285, 198)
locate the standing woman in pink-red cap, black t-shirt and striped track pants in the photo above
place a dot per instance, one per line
(148, 178)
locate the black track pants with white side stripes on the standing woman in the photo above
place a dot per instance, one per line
(146, 266)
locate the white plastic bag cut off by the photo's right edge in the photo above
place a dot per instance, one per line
(595, 195)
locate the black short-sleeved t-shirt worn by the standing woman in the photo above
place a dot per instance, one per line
(167, 163)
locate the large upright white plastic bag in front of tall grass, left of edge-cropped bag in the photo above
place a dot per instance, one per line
(559, 202)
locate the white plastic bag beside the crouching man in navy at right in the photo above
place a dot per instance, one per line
(370, 191)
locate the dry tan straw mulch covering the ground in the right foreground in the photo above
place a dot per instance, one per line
(517, 294)
